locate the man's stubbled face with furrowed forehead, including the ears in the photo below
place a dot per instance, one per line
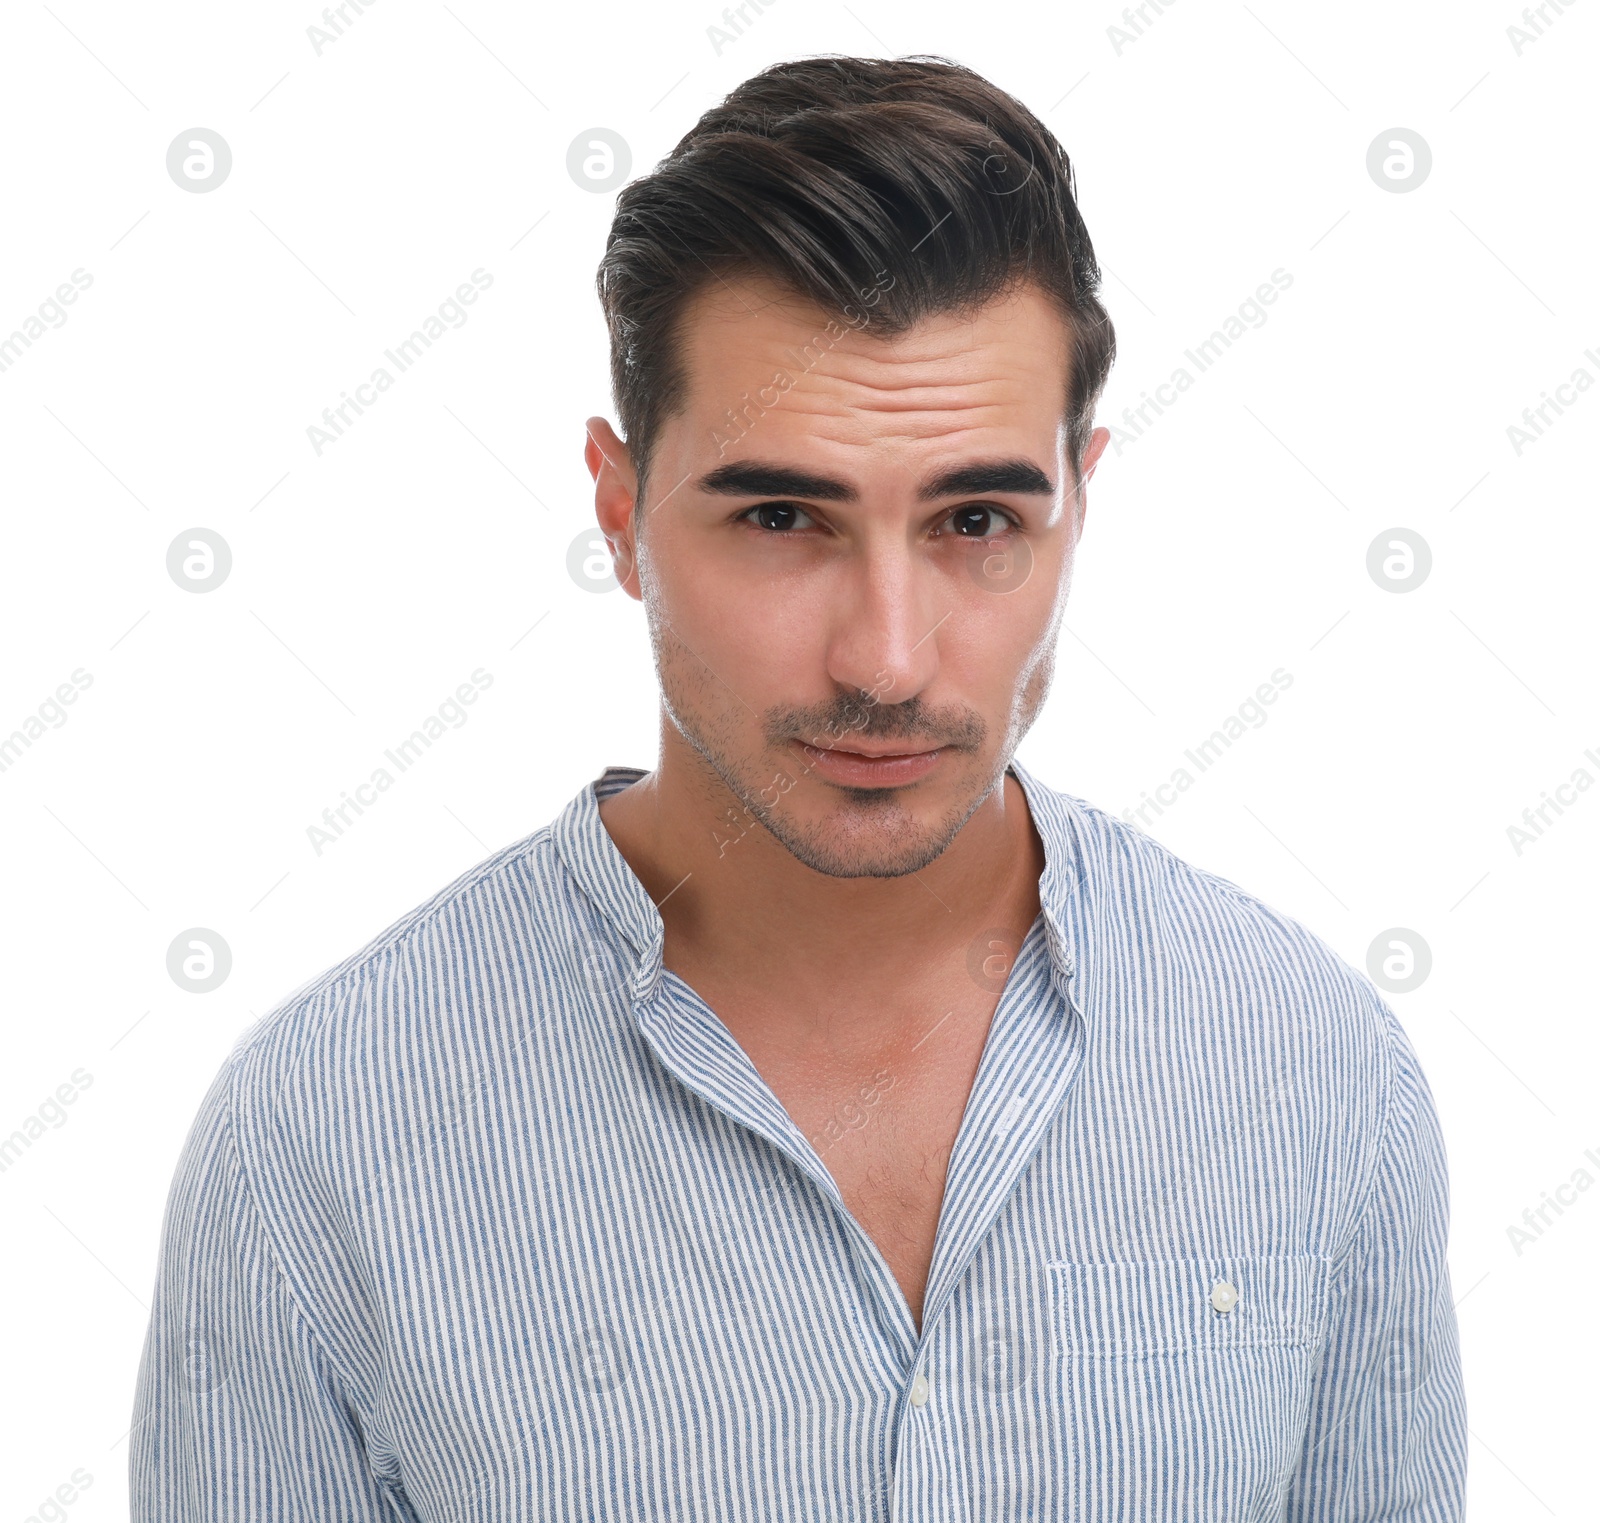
(855, 554)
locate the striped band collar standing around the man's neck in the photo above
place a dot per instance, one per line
(1068, 905)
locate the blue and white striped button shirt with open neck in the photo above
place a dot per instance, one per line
(497, 1223)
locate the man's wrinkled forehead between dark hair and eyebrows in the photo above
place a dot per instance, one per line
(974, 380)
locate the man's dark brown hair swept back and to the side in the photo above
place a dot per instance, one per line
(833, 175)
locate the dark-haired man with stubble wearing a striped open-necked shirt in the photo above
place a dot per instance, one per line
(836, 1122)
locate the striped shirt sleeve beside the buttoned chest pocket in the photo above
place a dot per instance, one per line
(1388, 1433)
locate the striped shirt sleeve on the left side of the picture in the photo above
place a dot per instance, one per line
(238, 1417)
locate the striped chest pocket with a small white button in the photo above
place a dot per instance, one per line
(1186, 1383)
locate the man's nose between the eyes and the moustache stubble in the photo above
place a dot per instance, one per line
(886, 636)
